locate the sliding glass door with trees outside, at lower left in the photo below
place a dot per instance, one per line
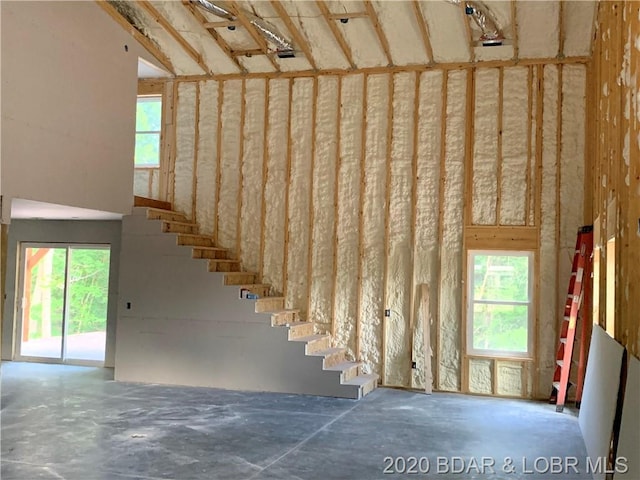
(63, 308)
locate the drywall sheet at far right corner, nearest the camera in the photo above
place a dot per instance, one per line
(630, 426)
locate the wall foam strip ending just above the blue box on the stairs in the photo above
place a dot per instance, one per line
(252, 161)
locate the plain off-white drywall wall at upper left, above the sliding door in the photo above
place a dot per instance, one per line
(67, 136)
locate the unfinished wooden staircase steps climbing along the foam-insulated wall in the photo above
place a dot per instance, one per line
(318, 348)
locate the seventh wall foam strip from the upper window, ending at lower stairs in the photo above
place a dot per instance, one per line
(324, 187)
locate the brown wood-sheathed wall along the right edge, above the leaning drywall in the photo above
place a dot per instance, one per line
(614, 186)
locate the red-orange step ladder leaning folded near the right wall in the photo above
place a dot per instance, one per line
(578, 296)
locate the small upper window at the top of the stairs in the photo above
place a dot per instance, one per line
(148, 121)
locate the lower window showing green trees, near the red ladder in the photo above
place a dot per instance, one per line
(500, 303)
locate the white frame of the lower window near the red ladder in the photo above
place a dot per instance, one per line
(530, 304)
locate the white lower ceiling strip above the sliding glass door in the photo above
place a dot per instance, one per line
(30, 209)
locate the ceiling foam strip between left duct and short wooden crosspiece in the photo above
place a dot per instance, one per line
(322, 43)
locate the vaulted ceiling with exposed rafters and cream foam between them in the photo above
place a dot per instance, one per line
(188, 39)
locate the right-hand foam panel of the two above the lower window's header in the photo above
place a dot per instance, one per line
(515, 115)
